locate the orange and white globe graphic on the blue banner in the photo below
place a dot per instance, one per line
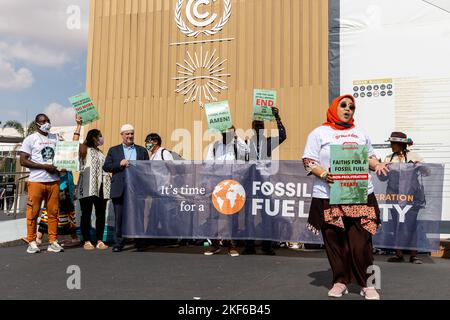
(229, 197)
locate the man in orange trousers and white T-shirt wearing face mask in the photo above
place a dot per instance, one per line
(37, 153)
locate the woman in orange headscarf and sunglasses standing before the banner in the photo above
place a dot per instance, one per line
(347, 230)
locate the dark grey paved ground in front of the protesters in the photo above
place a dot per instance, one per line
(184, 273)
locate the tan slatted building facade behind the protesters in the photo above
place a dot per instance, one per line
(142, 51)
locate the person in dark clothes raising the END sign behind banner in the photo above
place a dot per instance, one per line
(261, 148)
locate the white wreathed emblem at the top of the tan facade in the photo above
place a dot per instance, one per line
(199, 21)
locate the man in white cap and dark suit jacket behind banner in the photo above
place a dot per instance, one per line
(116, 162)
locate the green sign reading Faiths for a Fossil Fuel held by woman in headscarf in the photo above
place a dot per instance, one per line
(350, 170)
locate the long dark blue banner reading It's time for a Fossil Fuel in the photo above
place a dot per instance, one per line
(256, 201)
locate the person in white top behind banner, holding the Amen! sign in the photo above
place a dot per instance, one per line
(230, 148)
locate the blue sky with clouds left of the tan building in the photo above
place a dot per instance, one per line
(43, 53)
